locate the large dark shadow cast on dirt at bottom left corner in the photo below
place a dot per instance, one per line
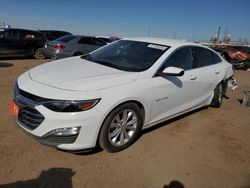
(52, 178)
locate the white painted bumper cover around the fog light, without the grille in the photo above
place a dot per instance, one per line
(89, 123)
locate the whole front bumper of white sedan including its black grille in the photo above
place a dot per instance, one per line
(44, 121)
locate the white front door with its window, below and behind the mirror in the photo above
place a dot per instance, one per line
(174, 94)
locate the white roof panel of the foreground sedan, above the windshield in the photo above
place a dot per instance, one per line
(162, 41)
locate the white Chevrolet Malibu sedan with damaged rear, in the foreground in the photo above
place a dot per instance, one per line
(107, 97)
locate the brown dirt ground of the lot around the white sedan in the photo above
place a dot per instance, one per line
(209, 148)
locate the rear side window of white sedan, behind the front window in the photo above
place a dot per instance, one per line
(204, 57)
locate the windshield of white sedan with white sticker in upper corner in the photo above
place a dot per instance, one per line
(128, 55)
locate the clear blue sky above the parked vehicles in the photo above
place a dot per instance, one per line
(182, 19)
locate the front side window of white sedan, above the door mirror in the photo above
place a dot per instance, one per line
(182, 58)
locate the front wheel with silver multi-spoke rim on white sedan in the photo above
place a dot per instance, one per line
(121, 128)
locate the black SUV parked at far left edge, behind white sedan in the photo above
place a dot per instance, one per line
(21, 42)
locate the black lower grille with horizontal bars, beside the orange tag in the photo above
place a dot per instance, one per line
(30, 117)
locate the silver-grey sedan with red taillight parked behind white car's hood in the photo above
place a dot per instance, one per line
(71, 45)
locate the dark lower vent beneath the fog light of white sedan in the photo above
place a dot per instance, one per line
(52, 139)
